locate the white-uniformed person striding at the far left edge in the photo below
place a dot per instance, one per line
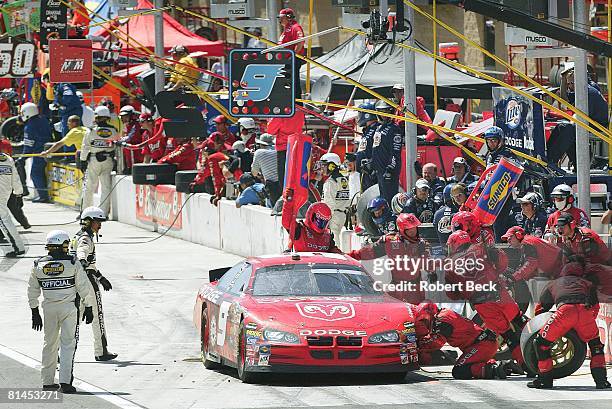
(9, 183)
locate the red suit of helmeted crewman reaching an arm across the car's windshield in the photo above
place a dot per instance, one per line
(396, 247)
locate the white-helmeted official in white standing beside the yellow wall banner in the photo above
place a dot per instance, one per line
(97, 153)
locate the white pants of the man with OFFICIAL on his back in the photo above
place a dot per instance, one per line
(61, 327)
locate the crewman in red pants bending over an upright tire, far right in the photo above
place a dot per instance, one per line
(576, 299)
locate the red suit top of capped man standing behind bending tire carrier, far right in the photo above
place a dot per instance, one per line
(585, 246)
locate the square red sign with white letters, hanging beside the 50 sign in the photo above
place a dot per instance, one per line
(70, 61)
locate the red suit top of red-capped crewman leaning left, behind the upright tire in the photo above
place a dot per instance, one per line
(538, 254)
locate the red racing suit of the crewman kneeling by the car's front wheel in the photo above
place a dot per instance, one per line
(478, 346)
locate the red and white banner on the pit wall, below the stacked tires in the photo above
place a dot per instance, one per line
(159, 204)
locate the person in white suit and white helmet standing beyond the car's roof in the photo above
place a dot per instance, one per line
(335, 192)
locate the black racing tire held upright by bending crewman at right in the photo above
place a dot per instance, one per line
(569, 352)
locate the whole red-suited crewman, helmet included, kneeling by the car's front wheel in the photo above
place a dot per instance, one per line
(436, 327)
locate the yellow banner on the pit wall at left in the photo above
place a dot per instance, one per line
(65, 184)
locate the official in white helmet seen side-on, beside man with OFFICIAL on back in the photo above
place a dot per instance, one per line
(82, 246)
